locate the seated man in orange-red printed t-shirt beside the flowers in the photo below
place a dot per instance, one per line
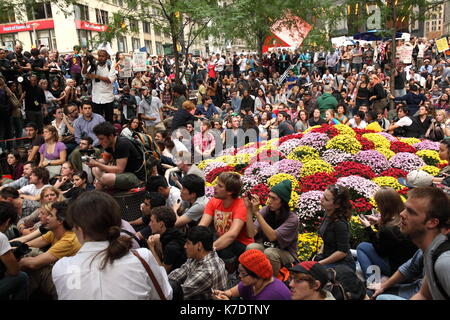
(229, 214)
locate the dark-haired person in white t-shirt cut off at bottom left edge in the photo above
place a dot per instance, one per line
(13, 283)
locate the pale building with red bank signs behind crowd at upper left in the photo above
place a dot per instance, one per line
(46, 24)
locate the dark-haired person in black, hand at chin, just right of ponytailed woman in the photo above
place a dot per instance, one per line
(167, 242)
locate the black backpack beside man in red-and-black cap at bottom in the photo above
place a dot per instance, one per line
(344, 284)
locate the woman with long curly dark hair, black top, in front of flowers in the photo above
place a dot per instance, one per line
(335, 229)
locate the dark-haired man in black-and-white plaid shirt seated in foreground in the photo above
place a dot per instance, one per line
(202, 272)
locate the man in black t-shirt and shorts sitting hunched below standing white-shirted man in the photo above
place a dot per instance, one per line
(125, 169)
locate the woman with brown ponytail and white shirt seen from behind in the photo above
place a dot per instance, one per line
(105, 268)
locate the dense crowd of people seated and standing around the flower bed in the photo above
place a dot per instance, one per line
(75, 131)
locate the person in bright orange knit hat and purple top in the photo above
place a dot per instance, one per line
(257, 280)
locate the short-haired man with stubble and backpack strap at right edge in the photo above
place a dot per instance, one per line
(426, 215)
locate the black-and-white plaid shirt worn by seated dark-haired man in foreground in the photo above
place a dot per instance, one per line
(197, 278)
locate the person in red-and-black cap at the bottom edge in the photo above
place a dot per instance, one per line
(307, 282)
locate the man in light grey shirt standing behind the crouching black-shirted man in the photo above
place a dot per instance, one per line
(150, 110)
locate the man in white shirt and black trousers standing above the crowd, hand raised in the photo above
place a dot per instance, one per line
(103, 76)
